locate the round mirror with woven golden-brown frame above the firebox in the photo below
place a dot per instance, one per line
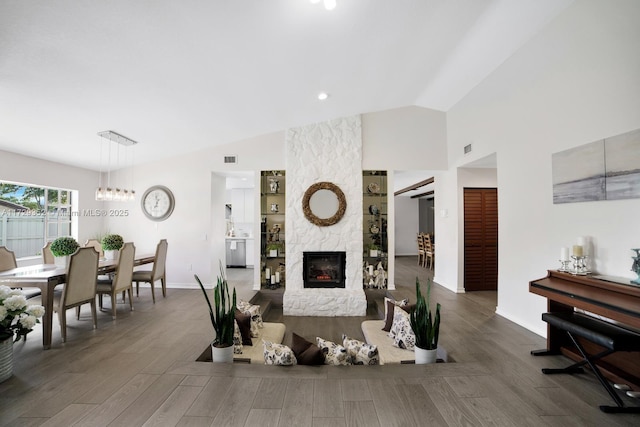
(324, 204)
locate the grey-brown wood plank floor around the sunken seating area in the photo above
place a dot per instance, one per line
(140, 370)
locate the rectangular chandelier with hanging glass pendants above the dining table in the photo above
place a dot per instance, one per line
(108, 193)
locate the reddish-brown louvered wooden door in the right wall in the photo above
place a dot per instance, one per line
(480, 239)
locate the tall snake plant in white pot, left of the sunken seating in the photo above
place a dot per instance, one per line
(222, 316)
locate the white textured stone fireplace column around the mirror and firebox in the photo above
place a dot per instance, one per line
(324, 152)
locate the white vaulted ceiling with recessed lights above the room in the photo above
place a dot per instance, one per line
(179, 76)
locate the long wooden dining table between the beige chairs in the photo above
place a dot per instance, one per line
(47, 276)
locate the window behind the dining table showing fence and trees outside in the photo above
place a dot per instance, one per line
(30, 216)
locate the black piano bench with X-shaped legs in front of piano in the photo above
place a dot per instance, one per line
(613, 338)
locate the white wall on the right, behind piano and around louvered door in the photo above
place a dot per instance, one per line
(576, 82)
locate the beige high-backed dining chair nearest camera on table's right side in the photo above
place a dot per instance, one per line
(80, 287)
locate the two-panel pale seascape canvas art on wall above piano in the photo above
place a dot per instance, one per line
(608, 169)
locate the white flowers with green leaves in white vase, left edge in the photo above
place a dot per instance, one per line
(17, 318)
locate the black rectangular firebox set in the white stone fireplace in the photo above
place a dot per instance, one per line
(324, 269)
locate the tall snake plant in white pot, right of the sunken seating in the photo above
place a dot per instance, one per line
(426, 327)
